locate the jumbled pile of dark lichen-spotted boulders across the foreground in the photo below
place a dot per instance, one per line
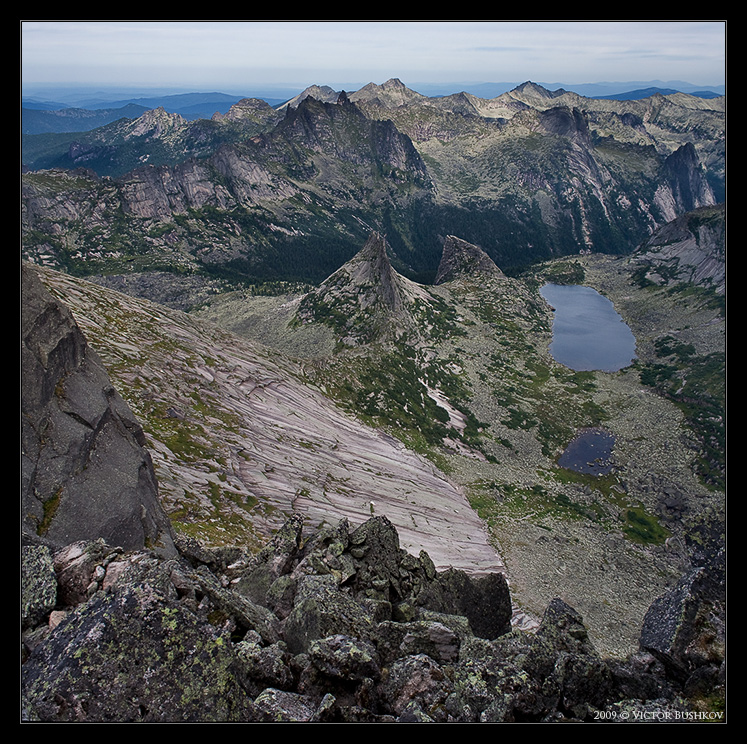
(182, 640)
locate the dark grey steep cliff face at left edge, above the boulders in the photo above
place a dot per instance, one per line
(85, 473)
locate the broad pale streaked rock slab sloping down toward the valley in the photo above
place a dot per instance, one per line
(291, 449)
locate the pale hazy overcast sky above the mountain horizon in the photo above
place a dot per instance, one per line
(222, 55)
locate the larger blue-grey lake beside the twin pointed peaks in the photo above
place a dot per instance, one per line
(588, 333)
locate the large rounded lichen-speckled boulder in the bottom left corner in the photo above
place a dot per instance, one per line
(133, 654)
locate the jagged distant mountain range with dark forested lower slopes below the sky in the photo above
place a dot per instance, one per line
(289, 193)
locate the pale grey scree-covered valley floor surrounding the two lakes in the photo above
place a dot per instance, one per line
(581, 552)
